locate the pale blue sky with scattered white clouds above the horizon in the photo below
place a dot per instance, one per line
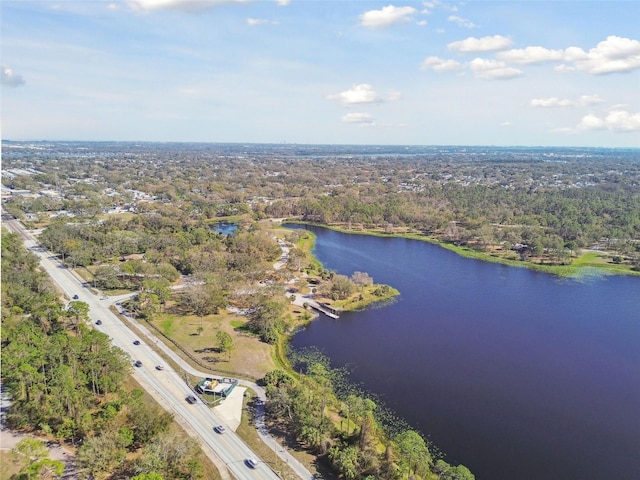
(505, 73)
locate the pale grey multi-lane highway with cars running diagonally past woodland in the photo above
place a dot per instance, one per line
(165, 384)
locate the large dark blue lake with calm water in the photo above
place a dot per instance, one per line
(514, 373)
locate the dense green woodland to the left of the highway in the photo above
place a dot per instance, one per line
(67, 381)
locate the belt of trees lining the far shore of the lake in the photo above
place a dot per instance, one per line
(490, 215)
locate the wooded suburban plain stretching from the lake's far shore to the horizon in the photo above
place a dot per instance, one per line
(552, 202)
